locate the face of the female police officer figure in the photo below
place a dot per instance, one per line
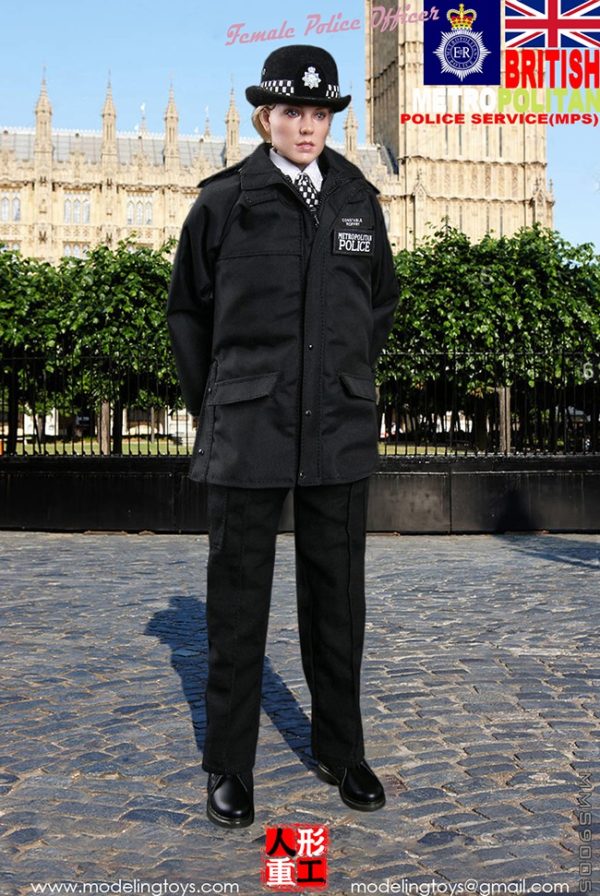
(297, 132)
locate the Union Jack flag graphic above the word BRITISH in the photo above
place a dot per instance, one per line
(552, 23)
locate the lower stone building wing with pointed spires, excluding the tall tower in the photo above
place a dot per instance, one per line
(62, 192)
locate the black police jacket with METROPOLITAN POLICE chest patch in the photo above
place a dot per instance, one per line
(276, 325)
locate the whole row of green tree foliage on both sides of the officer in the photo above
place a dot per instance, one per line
(503, 309)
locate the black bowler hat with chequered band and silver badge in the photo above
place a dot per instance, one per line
(301, 75)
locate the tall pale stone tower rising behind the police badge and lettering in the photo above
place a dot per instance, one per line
(481, 178)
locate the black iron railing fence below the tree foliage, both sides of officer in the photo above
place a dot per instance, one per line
(437, 404)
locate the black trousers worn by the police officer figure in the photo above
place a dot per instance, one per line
(330, 536)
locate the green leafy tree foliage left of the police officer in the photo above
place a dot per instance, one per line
(93, 326)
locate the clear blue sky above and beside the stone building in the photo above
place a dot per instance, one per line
(145, 47)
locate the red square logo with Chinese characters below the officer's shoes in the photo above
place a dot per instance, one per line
(295, 857)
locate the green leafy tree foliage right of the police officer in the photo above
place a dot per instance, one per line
(500, 307)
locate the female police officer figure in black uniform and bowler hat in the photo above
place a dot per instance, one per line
(282, 297)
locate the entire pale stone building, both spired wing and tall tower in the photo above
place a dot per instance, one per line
(63, 191)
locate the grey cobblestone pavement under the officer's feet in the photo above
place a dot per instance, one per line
(481, 704)
